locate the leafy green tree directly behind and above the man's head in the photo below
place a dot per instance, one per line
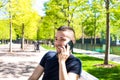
(63, 13)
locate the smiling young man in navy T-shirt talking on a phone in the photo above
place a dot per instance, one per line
(59, 65)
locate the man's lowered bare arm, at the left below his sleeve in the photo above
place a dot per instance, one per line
(37, 73)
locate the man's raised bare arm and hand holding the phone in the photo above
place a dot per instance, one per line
(62, 57)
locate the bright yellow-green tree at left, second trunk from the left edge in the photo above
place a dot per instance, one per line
(25, 19)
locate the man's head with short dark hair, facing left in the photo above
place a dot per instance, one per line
(63, 35)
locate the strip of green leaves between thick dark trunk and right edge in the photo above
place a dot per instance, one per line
(115, 20)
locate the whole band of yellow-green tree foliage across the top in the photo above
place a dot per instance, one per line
(86, 17)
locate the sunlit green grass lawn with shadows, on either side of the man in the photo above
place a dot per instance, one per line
(88, 64)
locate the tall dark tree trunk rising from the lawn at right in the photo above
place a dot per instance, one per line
(107, 33)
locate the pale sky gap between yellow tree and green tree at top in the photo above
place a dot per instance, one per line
(39, 5)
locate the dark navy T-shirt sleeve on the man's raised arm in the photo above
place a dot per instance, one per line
(76, 67)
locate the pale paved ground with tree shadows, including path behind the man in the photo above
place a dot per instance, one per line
(19, 65)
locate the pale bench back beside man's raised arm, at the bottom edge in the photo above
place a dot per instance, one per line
(87, 76)
